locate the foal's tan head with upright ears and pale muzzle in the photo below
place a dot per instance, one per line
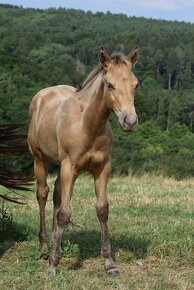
(120, 84)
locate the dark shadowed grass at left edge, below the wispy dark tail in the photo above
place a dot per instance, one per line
(10, 233)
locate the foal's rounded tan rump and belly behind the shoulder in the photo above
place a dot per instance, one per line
(44, 114)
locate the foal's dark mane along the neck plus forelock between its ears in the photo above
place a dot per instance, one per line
(117, 58)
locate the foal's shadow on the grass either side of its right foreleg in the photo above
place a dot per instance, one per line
(89, 243)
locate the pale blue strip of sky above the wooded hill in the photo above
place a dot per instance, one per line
(181, 10)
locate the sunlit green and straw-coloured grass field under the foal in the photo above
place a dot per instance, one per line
(151, 225)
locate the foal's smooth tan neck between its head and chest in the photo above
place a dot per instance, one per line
(95, 114)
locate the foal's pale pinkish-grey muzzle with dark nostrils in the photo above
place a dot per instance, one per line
(127, 121)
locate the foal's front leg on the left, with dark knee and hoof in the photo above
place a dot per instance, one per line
(63, 214)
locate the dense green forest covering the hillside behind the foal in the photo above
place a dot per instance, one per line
(41, 48)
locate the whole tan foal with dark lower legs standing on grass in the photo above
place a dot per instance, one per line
(70, 127)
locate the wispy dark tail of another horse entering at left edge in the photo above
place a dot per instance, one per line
(13, 142)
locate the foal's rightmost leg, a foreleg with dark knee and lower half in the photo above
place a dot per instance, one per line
(102, 213)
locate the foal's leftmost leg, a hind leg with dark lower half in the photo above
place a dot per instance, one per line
(40, 169)
